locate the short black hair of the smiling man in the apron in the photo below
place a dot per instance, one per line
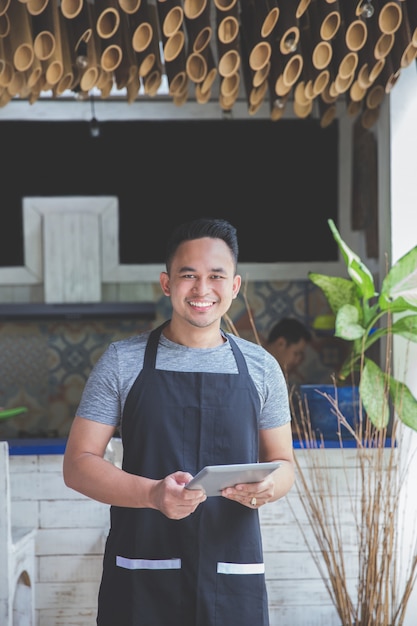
(202, 227)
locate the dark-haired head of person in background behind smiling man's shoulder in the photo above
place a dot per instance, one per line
(287, 342)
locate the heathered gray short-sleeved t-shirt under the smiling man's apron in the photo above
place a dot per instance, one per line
(115, 372)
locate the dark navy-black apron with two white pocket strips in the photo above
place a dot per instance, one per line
(206, 569)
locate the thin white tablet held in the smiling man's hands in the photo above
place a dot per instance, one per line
(214, 478)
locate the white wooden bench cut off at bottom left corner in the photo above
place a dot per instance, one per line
(17, 547)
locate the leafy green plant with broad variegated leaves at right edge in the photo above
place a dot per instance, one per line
(363, 316)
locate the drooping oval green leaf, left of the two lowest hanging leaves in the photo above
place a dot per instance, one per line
(374, 394)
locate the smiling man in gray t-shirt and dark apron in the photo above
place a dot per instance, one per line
(185, 395)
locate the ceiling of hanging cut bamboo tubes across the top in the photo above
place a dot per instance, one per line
(309, 55)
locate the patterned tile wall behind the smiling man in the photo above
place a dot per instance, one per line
(44, 364)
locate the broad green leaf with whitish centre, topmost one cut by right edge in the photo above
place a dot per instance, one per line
(399, 287)
